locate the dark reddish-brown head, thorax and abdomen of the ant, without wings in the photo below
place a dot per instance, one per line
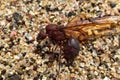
(69, 46)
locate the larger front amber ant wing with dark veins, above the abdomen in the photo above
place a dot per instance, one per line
(98, 27)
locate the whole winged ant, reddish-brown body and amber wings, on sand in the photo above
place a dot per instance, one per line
(69, 36)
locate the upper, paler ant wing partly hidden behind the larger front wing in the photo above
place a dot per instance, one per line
(77, 20)
